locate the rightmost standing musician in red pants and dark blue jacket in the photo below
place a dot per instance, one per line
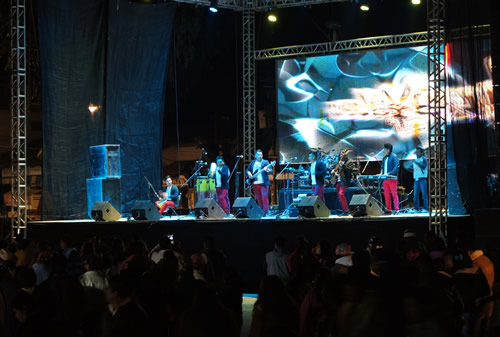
(390, 166)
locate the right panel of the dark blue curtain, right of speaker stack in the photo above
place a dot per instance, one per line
(139, 41)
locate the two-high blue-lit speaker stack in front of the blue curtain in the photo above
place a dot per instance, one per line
(105, 182)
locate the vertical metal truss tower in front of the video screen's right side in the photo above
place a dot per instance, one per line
(438, 182)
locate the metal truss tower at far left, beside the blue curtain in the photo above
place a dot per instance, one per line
(18, 113)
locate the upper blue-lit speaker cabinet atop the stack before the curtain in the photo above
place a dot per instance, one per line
(105, 161)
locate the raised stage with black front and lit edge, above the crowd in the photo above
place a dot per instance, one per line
(245, 241)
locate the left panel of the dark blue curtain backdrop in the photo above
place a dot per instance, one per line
(71, 35)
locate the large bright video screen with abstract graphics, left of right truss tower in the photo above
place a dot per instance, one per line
(355, 100)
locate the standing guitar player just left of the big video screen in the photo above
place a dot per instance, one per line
(261, 168)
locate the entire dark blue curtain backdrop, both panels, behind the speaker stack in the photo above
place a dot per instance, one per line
(73, 50)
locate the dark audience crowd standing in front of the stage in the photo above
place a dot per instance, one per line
(106, 287)
